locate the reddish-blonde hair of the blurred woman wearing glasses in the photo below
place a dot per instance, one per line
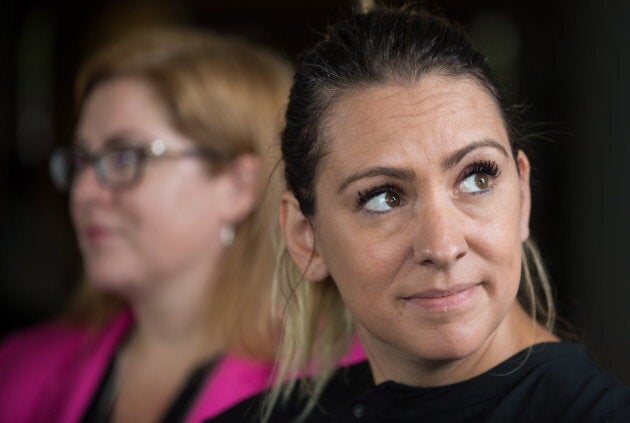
(227, 95)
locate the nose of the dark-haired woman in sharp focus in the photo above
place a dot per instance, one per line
(439, 240)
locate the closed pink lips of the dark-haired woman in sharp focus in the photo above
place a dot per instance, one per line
(443, 300)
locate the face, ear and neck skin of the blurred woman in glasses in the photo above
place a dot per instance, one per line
(157, 243)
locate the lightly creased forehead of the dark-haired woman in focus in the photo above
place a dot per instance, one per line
(424, 120)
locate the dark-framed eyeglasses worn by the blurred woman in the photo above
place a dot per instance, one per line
(117, 168)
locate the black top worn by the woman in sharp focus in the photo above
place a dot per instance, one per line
(551, 382)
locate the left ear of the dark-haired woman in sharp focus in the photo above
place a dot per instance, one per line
(299, 236)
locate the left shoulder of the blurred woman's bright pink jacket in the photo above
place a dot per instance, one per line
(41, 366)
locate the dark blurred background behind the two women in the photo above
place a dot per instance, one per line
(567, 60)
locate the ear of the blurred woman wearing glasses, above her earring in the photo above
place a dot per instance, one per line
(243, 175)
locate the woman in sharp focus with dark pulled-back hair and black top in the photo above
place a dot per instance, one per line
(406, 219)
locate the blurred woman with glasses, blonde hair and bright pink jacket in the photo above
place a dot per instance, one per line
(173, 149)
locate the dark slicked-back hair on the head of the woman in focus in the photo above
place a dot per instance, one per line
(382, 46)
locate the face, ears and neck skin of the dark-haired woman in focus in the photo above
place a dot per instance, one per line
(421, 240)
